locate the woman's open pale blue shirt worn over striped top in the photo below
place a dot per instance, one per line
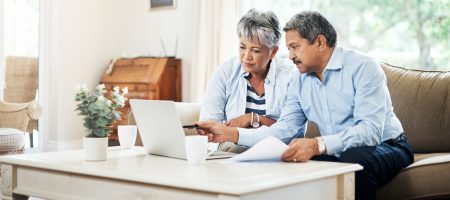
(226, 94)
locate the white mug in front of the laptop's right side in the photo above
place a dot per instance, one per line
(196, 149)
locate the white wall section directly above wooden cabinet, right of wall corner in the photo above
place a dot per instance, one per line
(145, 29)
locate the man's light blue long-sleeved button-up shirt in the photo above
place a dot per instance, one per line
(351, 106)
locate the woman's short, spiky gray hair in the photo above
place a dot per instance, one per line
(260, 26)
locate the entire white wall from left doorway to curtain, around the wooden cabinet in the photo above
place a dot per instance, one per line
(85, 34)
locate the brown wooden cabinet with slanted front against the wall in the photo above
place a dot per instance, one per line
(146, 78)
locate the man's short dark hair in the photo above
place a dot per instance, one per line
(311, 24)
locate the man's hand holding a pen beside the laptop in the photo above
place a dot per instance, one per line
(217, 132)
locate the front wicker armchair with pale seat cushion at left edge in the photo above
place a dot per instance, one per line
(14, 118)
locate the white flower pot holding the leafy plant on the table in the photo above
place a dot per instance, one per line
(95, 148)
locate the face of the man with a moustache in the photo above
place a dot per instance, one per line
(302, 53)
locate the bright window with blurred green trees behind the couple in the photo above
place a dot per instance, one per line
(412, 34)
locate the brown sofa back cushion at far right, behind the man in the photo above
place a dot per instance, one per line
(421, 100)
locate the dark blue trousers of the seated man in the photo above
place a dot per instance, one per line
(381, 164)
